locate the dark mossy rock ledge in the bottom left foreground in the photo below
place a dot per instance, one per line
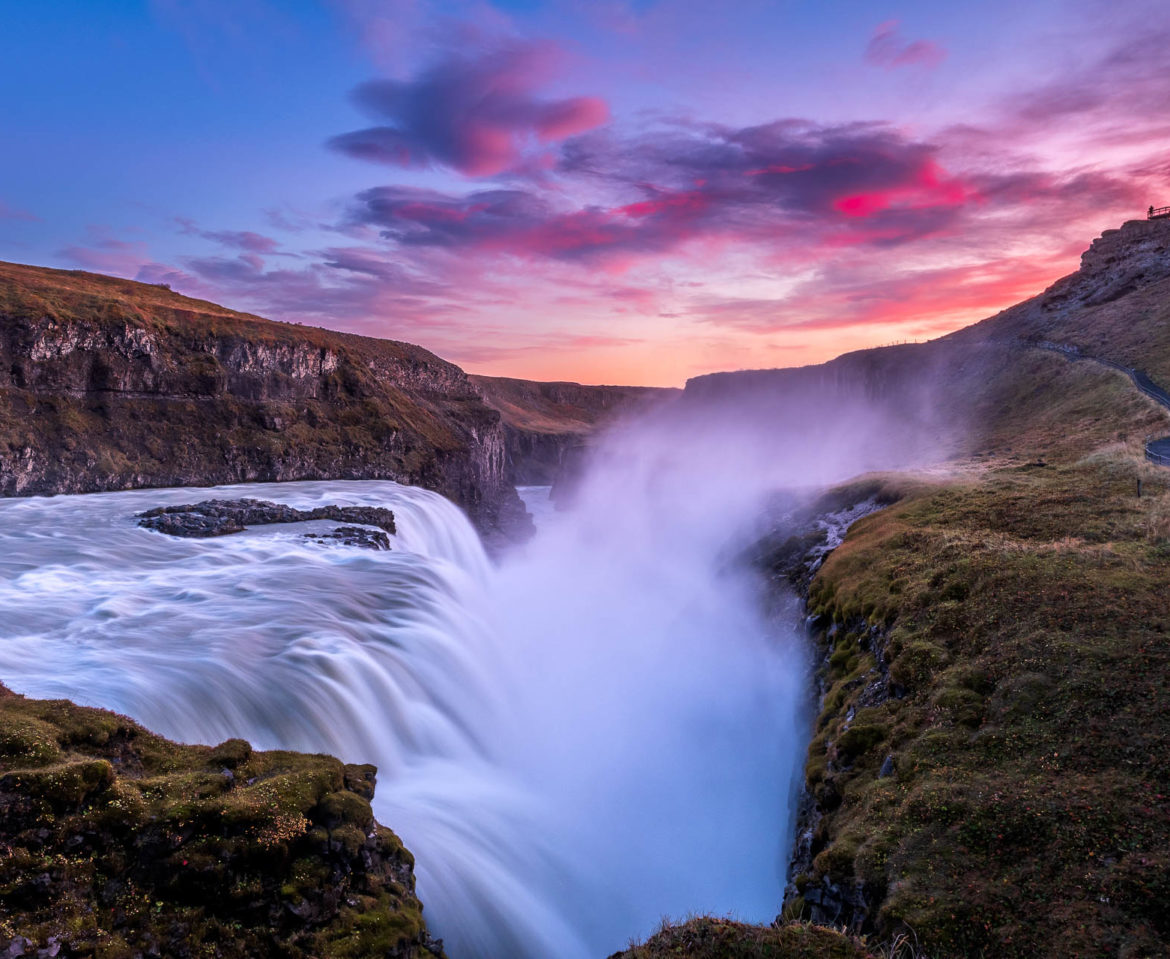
(116, 843)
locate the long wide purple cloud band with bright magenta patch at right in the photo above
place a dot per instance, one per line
(765, 185)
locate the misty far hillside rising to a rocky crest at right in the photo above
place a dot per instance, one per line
(993, 390)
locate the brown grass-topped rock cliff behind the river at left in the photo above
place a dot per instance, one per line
(108, 384)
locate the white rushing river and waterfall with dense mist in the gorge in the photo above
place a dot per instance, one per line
(597, 733)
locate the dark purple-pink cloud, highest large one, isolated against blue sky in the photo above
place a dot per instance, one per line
(478, 115)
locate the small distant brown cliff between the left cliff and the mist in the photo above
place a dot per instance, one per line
(547, 424)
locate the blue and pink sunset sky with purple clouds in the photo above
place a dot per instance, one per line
(602, 191)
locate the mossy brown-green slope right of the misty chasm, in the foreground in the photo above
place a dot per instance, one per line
(1028, 633)
